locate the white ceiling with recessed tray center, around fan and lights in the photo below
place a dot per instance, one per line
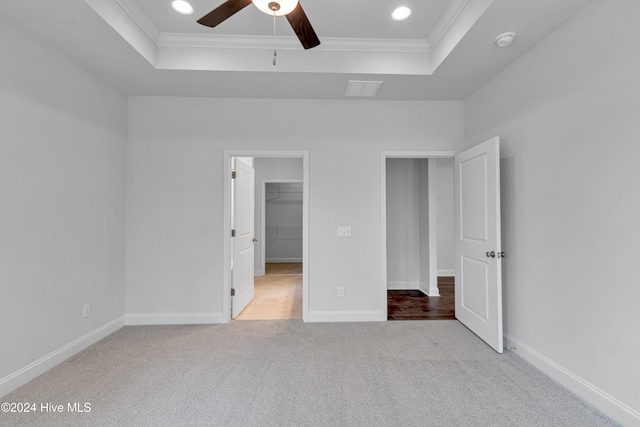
(444, 51)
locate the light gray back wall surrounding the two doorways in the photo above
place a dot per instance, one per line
(175, 193)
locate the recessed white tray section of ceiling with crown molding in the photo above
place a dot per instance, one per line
(357, 36)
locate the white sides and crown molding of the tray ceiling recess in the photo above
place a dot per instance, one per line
(194, 49)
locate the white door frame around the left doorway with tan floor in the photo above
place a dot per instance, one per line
(226, 228)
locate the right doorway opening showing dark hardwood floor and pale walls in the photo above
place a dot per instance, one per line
(419, 232)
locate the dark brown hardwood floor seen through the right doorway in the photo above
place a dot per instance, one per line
(414, 305)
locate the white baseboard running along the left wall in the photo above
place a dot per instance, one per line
(42, 365)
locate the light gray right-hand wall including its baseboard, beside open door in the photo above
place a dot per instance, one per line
(567, 113)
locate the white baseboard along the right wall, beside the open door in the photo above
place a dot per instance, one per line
(606, 403)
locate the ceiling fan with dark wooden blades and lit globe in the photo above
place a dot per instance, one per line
(290, 8)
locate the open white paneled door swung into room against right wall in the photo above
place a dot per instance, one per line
(478, 244)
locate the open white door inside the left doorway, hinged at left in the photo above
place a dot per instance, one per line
(242, 240)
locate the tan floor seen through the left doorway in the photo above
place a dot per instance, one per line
(277, 295)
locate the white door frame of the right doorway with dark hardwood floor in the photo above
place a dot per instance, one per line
(383, 208)
